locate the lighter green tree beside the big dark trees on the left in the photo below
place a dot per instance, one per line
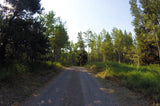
(57, 35)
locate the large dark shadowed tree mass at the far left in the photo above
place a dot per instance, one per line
(21, 35)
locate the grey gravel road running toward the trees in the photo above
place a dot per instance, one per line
(73, 87)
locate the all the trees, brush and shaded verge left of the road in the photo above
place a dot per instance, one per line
(33, 43)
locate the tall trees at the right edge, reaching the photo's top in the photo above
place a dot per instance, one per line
(146, 21)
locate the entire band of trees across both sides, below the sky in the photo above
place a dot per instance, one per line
(28, 34)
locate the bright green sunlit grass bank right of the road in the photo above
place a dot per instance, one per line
(144, 79)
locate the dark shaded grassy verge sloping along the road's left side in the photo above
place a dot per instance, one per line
(20, 84)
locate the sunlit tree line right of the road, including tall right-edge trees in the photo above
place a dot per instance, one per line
(121, 46)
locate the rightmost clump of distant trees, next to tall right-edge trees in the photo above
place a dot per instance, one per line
(123, 45)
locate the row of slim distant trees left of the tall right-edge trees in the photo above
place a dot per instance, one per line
(117, 46)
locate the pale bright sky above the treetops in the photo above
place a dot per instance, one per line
(82, 15)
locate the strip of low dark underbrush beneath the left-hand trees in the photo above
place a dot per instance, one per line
(12, 71)
